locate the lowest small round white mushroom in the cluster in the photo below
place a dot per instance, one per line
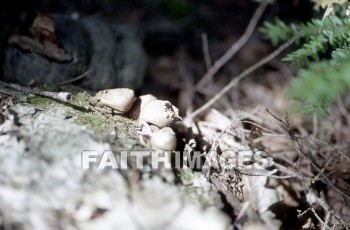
(164, 139)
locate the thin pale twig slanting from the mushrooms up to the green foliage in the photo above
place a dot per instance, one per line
(240, 77)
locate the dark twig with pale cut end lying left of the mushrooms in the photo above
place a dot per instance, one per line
(62, 96)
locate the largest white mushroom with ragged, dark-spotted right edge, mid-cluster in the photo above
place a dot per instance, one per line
(159, 113)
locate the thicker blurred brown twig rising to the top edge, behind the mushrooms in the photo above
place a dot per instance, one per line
(235, 47)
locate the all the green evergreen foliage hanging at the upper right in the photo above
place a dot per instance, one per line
(324, 54)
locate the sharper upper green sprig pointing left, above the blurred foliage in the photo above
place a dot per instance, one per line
(318, 36)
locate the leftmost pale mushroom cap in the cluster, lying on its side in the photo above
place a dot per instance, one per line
(120, 99)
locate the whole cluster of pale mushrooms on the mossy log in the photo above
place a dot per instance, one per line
(155, 116)
